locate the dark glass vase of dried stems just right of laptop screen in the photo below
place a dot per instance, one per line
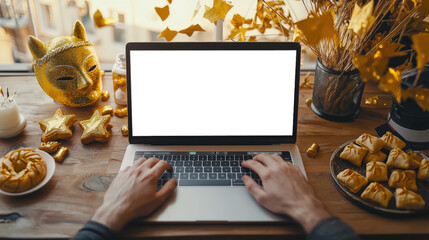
(336, 95)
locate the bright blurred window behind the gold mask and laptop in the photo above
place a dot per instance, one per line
(137, 21)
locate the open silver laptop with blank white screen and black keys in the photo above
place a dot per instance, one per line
(204, 107)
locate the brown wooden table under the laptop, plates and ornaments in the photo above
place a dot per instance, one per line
(60, 208)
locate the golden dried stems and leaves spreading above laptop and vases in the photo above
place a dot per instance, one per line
(344, 35)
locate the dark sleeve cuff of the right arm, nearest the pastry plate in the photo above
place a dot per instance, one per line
(332, 229)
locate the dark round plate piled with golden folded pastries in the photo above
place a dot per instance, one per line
(380, 175)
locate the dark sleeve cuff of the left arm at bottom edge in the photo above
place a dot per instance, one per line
(95, 231)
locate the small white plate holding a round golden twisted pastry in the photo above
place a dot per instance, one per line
(26, 170)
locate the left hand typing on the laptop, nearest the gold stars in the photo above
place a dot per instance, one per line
(133, 193)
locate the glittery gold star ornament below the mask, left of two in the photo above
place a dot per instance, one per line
(58, 126)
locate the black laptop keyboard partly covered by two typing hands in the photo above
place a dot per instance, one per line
(207, 168)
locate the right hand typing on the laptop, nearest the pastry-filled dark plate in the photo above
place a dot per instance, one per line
(285, 191)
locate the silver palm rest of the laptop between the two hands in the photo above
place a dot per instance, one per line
(212, 204)
